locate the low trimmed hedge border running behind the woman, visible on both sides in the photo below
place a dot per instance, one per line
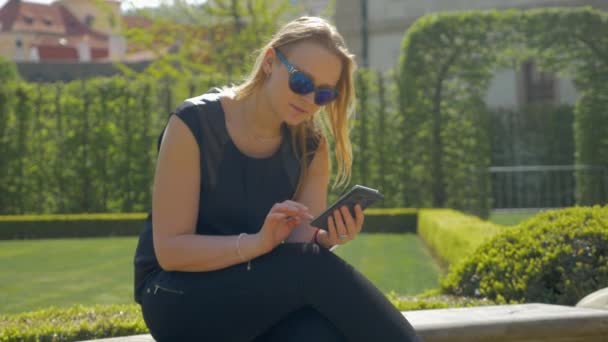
(100, 225)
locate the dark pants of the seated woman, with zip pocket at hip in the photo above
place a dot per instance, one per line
(297, 292)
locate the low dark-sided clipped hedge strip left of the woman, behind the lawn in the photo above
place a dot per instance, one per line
(73, 225)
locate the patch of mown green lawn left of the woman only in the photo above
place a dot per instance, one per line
(41, 273)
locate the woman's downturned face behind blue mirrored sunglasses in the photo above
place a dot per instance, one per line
(321, 65)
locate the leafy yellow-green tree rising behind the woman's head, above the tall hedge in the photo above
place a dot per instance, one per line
(219, 37)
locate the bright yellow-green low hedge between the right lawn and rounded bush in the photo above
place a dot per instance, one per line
(452, 235)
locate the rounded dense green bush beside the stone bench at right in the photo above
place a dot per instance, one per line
(556, 257)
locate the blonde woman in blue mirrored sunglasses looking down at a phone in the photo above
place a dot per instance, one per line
(227, 253)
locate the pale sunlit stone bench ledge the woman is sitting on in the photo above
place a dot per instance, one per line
(520, 322)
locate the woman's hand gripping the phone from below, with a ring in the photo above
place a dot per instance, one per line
(343, 227)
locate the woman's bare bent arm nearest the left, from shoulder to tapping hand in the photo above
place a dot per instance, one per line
(175, 206)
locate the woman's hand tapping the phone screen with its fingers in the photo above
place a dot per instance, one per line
(281, 220)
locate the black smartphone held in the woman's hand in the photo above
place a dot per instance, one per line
(357, 195)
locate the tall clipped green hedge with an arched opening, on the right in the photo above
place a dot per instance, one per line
(446, 67)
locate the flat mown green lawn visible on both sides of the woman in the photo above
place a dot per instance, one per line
(41, 273)
